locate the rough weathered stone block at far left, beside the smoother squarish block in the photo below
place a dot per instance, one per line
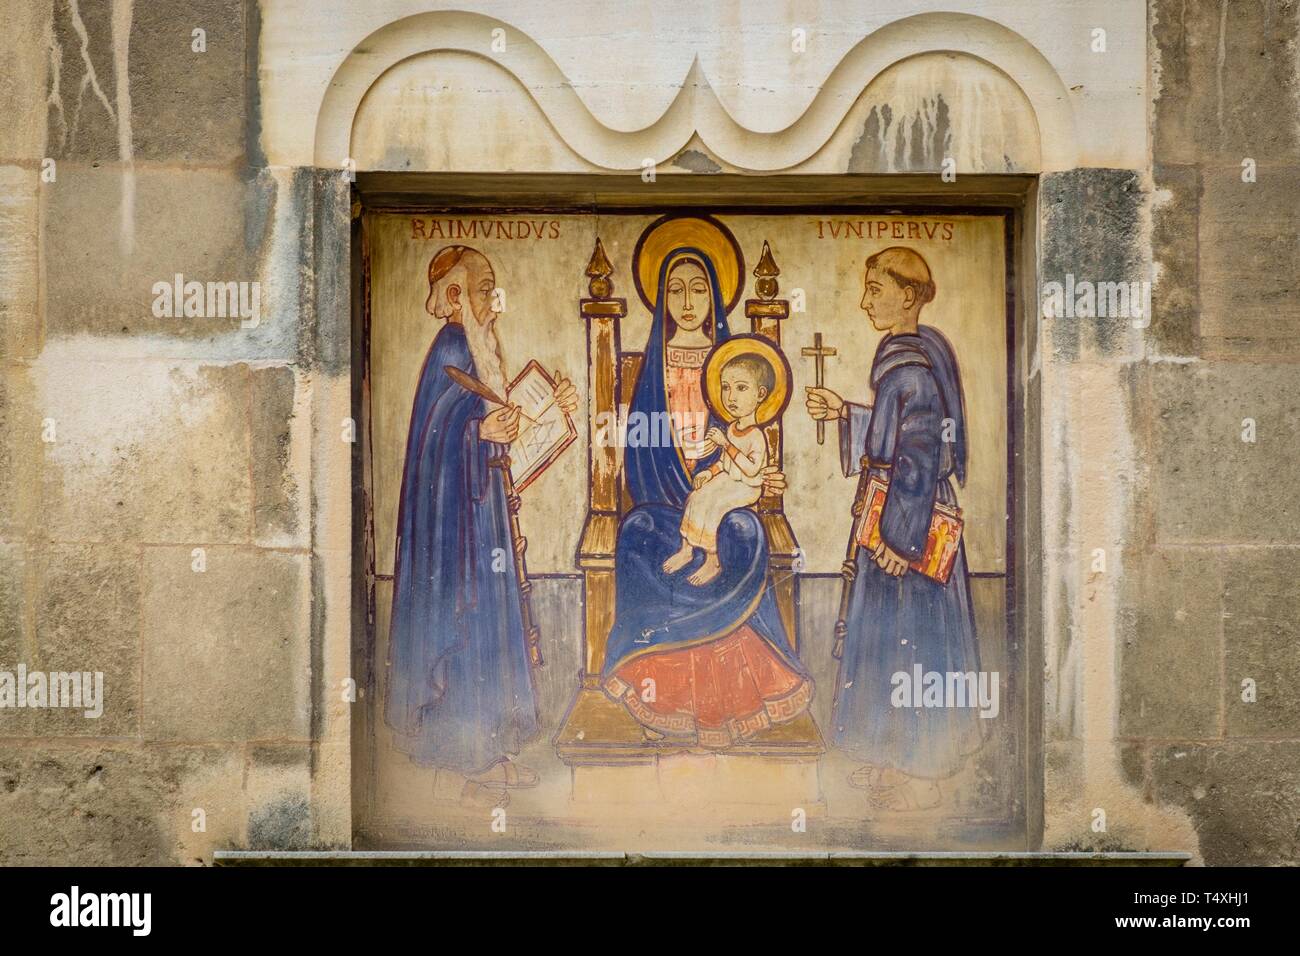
(88, 603)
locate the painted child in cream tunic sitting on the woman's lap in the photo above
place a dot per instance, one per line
(735, 479)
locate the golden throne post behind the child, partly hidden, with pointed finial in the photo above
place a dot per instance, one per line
(766, 314)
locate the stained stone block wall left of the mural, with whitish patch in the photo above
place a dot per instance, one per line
(138, 449)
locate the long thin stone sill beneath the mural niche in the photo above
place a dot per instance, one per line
(440, 858)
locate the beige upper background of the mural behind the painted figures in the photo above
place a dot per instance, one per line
(543, 280)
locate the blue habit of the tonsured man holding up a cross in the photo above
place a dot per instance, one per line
(895, 624)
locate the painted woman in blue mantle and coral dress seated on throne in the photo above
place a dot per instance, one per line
(710, 665)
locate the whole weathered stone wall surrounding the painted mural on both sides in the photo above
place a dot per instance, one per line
(137, 449)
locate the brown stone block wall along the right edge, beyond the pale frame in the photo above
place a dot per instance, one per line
(1211, 599)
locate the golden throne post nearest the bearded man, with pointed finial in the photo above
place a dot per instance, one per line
(603, 314)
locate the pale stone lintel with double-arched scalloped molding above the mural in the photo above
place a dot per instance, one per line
(1085, 109)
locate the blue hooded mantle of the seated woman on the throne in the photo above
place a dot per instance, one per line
(661, 612)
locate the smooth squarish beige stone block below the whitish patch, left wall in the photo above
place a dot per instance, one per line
(236, 664)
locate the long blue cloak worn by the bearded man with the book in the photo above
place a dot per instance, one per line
(461, 690)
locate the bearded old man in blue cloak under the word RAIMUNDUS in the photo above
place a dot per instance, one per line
(461, 693)
